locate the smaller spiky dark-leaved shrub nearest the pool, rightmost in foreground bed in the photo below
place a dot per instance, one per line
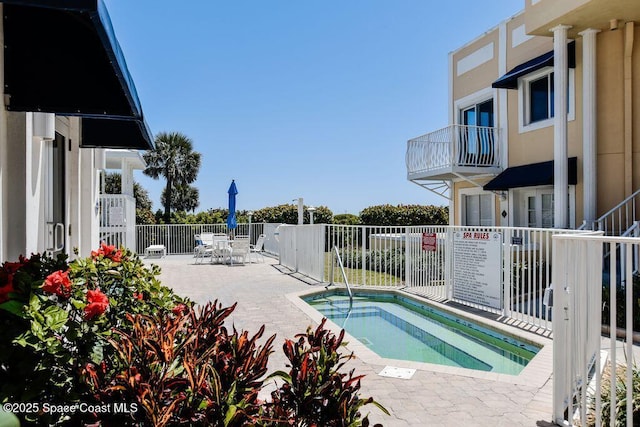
(315, 392)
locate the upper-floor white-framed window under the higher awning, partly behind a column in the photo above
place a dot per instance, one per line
(536, 94)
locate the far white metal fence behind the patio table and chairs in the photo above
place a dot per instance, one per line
(179, 238)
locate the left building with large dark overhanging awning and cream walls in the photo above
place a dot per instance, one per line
(67, 96)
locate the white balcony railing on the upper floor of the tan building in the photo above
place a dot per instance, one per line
(455, 145)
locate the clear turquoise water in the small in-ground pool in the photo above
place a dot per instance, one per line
(402, 328)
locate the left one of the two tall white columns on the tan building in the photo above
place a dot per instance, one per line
(560, 151)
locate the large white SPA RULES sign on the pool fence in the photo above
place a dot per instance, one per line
(478, 267)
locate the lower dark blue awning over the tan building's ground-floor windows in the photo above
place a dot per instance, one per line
(530, 175)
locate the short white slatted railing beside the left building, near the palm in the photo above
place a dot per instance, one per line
(117, 218)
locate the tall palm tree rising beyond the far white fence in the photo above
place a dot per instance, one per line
(174, 160)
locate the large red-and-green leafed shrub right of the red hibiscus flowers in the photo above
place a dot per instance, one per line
(183, 368)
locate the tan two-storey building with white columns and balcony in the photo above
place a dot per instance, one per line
(517, 154)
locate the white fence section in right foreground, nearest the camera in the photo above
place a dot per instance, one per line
(593, 366)
